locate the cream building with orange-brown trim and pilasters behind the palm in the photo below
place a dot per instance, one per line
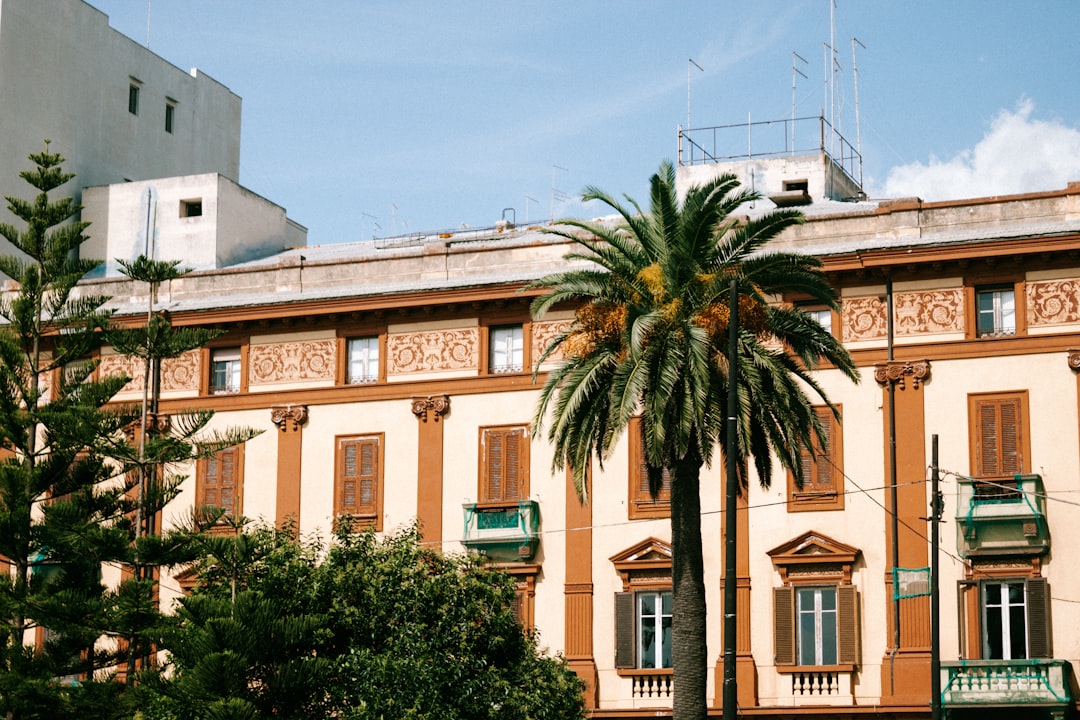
(394, 382)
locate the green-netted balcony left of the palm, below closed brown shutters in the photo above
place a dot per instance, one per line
(504, 534)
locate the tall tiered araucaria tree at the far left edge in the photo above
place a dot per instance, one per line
(61, 518)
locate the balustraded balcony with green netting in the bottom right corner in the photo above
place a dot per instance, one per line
(1006, 684)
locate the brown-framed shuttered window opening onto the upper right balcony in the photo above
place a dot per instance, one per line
(998, 440)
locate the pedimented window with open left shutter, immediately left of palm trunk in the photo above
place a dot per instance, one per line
(644, 630)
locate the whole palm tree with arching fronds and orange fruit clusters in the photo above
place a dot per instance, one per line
(650, 338)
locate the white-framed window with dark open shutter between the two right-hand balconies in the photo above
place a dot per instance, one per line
(1015, 619)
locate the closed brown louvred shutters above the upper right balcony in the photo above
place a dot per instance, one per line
(1000, 437)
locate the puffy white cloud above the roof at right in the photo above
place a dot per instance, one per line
(1018, 155)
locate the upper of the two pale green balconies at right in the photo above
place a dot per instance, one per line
(1002, 518)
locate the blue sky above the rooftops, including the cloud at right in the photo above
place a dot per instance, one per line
(391, 118)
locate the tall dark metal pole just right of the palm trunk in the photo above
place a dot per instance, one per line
(732, 486)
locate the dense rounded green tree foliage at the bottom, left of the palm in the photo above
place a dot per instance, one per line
(367, 629)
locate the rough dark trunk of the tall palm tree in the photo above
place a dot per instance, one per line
(688, 588)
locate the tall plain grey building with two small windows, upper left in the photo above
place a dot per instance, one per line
(115, 110)
